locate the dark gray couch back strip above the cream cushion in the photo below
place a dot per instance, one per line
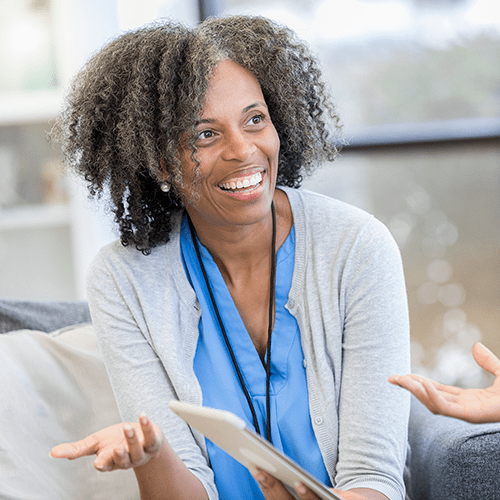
(44, 316)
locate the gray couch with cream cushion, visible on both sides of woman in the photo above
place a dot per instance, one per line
(54, 389)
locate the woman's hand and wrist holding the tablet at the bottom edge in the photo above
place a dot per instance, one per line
(274, 490)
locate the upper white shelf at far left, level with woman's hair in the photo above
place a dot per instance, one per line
(19, 108)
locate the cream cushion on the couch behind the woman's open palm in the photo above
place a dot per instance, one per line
(54, 389)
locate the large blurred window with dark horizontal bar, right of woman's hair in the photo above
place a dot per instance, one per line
(417, 86)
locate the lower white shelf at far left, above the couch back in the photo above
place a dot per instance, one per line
(34, 217)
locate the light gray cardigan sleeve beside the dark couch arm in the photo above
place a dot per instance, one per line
(373, 414)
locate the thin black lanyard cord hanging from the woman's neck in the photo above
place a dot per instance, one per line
(269, 331)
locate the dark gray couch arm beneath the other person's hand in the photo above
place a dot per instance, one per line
(452, 459)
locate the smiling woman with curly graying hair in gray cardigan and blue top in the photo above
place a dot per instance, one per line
(191, 131)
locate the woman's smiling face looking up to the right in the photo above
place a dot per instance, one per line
(238, 149)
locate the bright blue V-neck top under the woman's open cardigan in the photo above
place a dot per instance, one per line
(291, 428)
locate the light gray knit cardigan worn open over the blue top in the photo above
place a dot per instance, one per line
(348, 296)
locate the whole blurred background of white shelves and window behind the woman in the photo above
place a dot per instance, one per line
(417, 85)
